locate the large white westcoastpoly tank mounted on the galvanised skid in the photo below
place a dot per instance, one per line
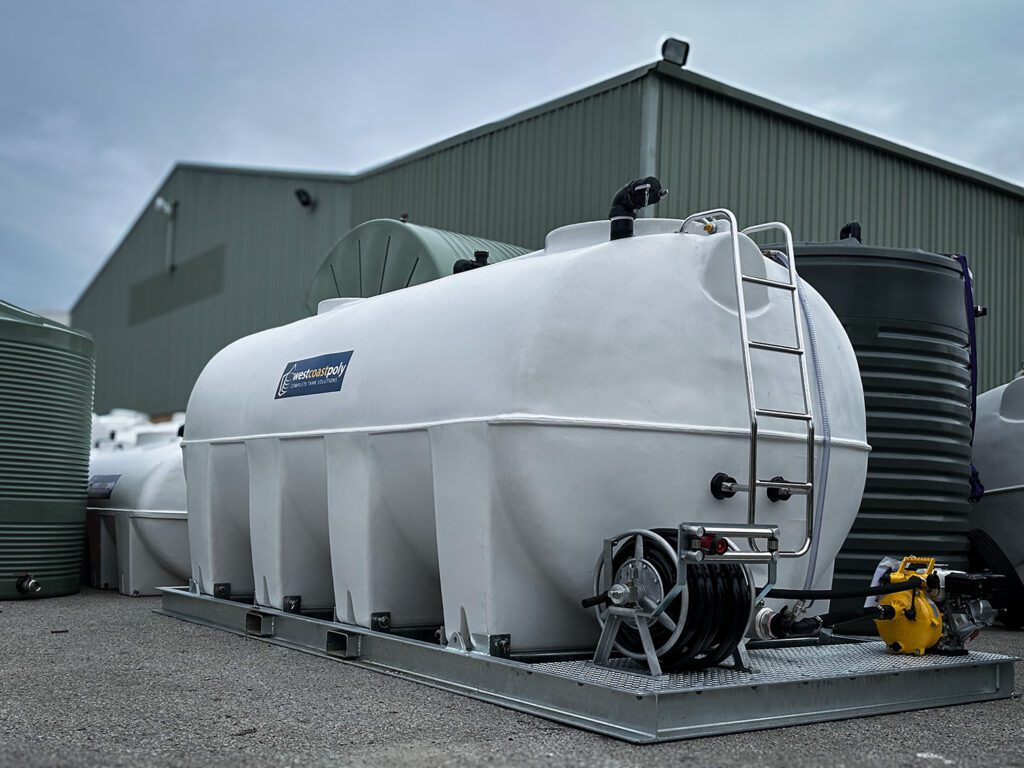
(456, 452)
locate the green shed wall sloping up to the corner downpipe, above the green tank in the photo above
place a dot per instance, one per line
(522, 181)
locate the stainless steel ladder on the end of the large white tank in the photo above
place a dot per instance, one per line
(806, 488)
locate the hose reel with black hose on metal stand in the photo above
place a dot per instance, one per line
(678, 599)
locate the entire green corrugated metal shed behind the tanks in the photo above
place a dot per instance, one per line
(251, 250)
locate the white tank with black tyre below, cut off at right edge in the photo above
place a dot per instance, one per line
(998, 521)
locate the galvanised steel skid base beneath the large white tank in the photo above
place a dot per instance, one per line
(795, 686)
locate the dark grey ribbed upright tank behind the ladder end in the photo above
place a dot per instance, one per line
(906, 315)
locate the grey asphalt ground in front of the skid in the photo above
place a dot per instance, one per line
(98, 679)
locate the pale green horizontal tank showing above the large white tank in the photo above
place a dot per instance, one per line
(386, 255)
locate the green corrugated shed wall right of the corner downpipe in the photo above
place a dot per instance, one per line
(716, 152)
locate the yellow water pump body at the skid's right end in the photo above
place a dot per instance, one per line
(917, 623)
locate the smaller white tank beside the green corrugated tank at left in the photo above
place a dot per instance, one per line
(138, 528)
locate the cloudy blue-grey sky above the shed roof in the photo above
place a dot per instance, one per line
(99, 100)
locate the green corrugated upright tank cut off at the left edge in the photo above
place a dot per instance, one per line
(47, 379)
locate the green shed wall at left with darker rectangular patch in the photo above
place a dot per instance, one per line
(245, 252)
